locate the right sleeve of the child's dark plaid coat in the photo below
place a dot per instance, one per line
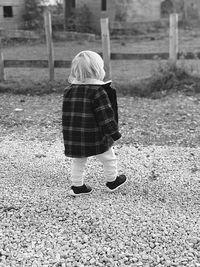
(104, 114)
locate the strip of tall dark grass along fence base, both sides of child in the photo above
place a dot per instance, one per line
(166, 79)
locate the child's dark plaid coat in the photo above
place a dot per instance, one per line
(89, 119)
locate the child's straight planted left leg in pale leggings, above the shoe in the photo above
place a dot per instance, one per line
(77, 171)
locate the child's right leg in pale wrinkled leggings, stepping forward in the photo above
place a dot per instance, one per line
(109, 161)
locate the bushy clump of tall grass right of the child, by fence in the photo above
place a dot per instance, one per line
(166, 78)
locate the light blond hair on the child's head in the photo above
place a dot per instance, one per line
(87, 64)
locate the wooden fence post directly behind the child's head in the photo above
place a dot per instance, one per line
(105, 35)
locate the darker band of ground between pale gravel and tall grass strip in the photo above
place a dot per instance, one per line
(173, 120)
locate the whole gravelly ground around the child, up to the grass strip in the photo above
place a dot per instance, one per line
(154, 220)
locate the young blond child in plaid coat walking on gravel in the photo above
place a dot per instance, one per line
(90, 122)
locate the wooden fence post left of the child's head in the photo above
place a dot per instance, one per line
(48, 32)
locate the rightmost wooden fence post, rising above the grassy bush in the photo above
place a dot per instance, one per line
(173, 38)
